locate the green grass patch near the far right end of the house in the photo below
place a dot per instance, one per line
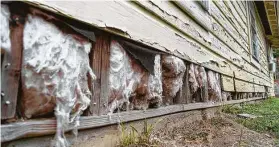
(267, 112)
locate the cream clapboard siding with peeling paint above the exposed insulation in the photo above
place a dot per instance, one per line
(218, 38)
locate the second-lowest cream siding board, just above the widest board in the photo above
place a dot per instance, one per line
(169, 13)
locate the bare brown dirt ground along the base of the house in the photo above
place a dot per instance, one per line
(216, 131)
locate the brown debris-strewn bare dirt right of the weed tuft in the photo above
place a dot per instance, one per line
(215, 132)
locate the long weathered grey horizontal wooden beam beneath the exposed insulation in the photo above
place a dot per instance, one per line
(33, 128)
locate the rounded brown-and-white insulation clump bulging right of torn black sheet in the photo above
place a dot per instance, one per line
(173, 72)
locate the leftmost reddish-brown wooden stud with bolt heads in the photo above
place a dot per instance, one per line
(11, 67)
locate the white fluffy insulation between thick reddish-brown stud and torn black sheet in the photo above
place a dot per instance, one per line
(123, 79)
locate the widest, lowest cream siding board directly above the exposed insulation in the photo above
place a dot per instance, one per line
(172, 41)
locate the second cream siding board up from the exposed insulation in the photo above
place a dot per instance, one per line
(169, 13)
